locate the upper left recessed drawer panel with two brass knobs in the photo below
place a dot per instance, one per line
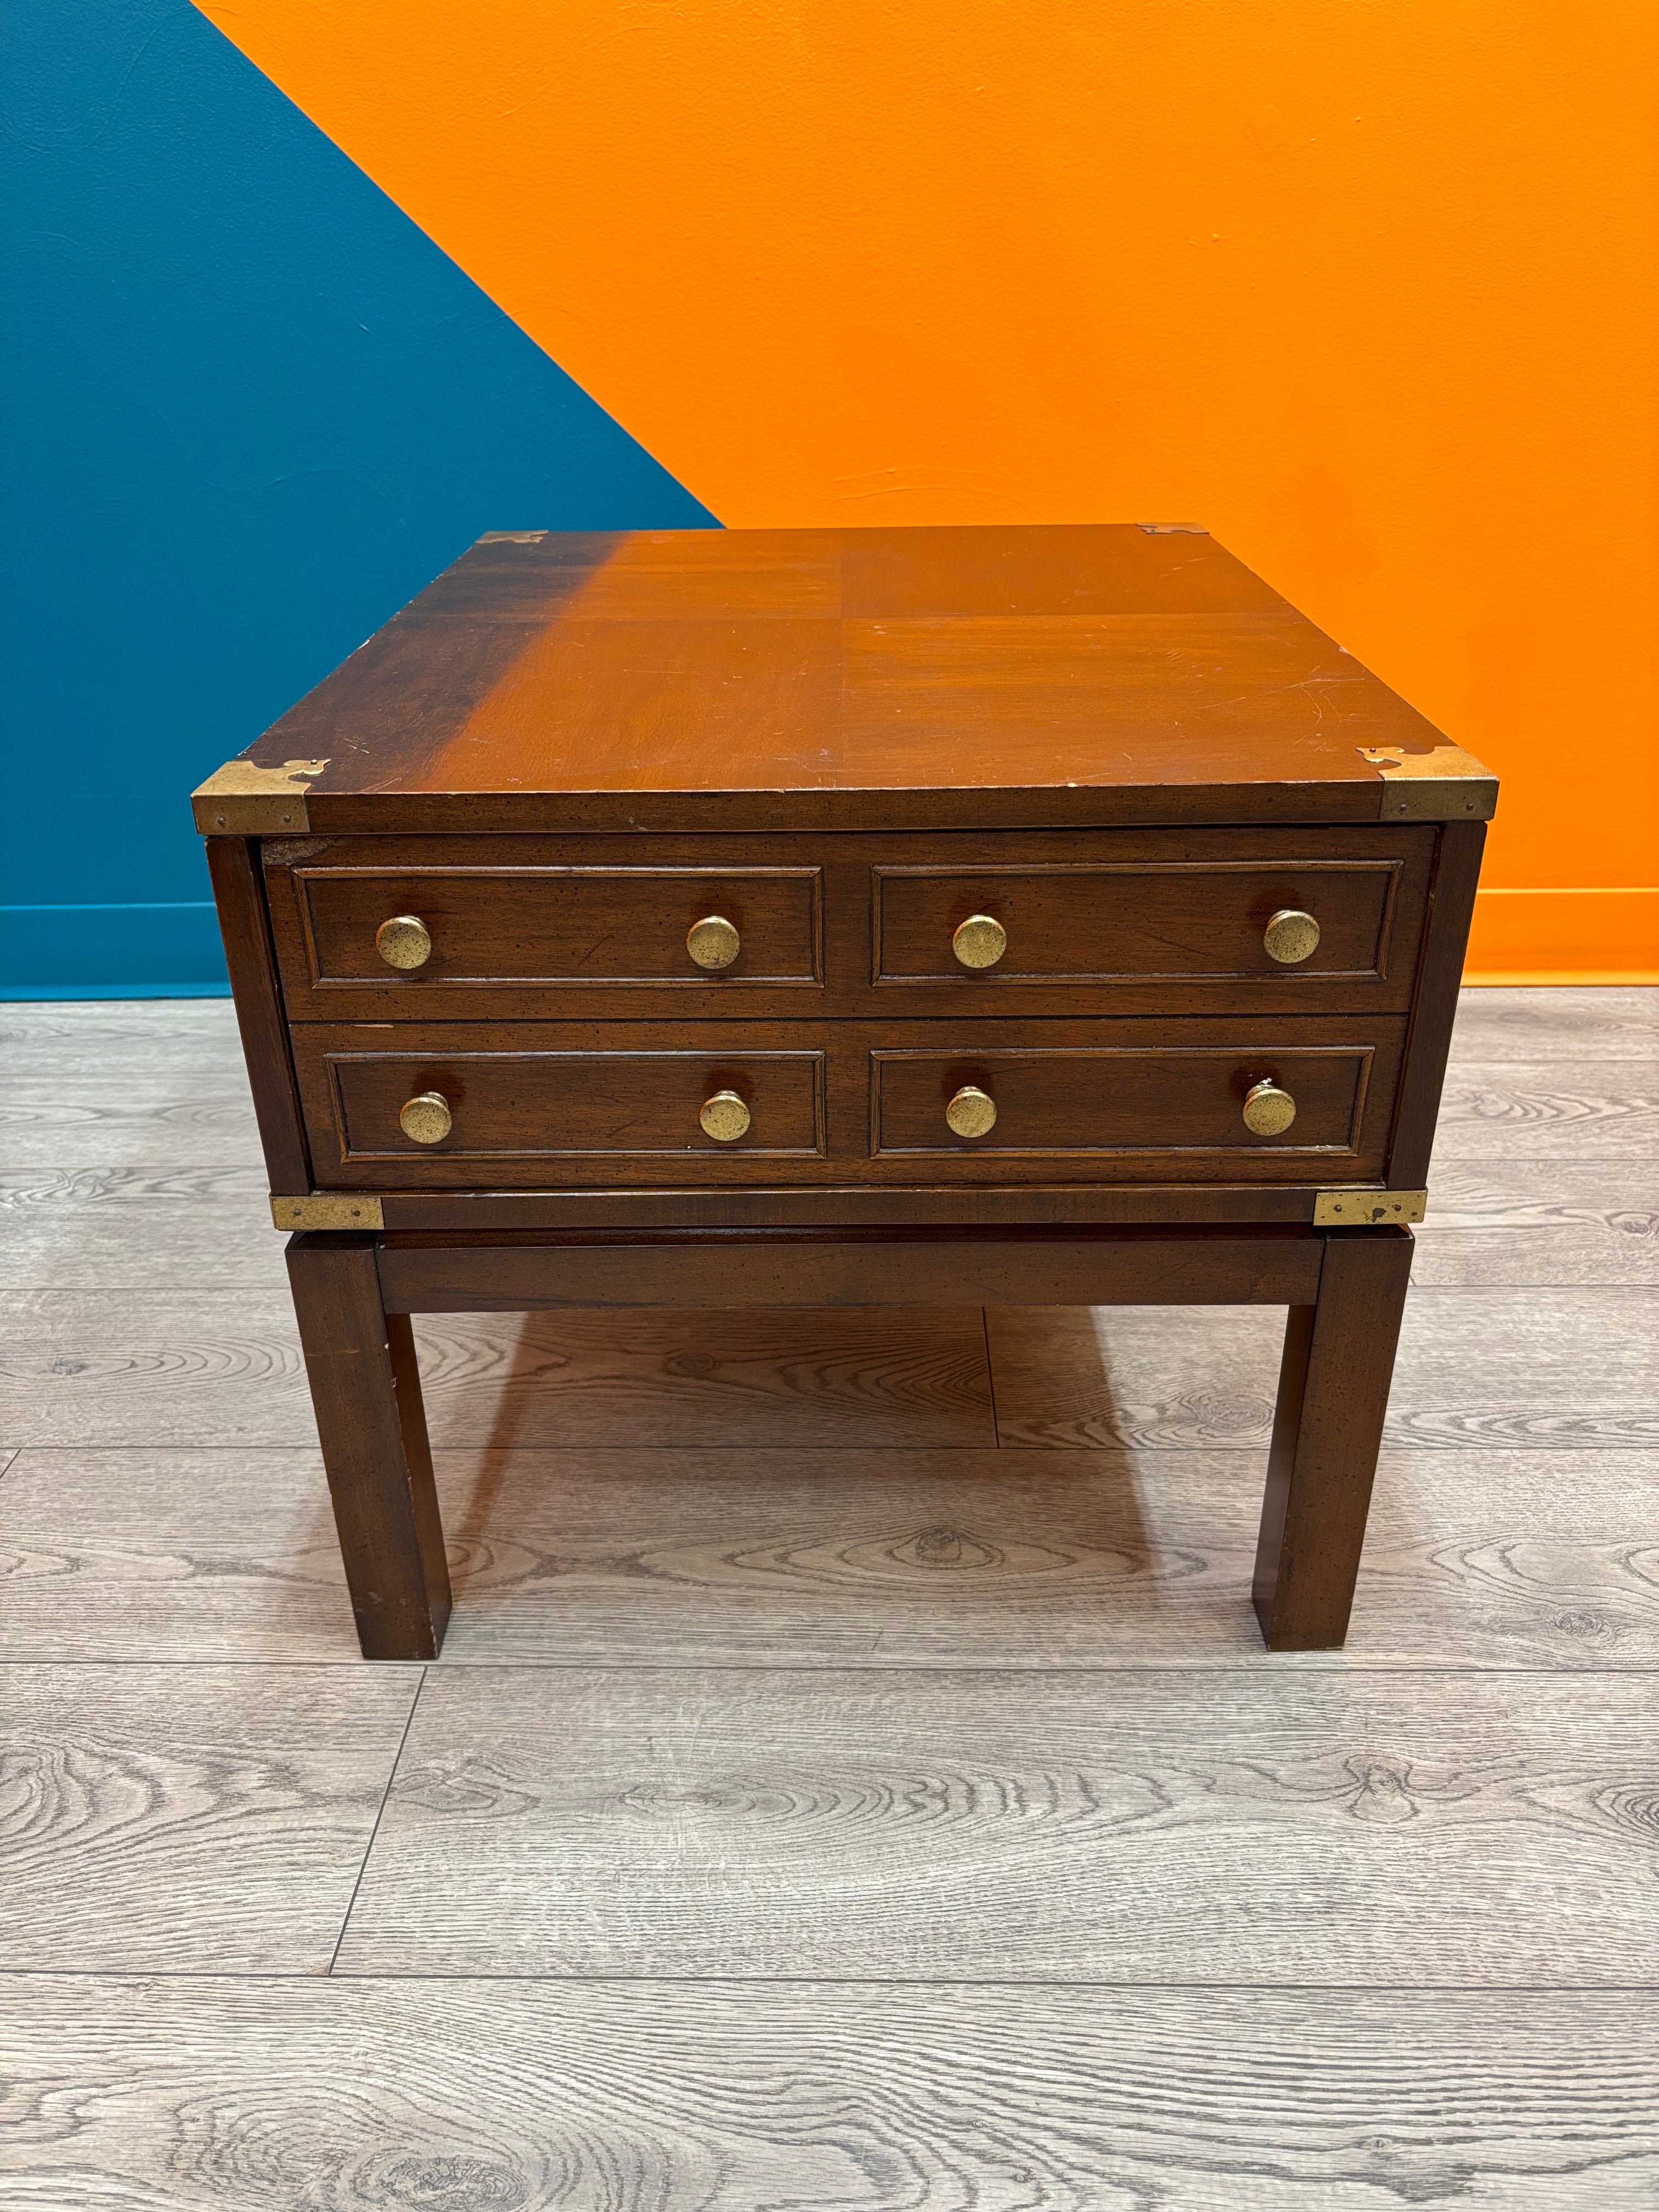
(505, 924)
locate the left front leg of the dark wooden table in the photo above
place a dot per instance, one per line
(366, 1388)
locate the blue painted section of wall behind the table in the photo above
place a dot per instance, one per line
(251, 413)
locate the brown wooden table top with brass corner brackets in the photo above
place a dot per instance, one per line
(868, 678)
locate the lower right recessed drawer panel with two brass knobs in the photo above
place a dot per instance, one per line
(1176, 1103)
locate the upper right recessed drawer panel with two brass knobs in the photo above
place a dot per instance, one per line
(1098, 924)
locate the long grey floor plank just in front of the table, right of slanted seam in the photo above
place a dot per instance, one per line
(1027, 1828)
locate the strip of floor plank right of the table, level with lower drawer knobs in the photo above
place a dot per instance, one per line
(1550, 1109)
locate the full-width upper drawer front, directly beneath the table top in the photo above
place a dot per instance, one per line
(596, 926)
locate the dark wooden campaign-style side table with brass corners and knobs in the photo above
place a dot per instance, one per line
(1032, 917)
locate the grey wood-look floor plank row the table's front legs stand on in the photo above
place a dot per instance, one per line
(828, 1558)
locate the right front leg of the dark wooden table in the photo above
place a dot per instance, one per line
(1328, 1430)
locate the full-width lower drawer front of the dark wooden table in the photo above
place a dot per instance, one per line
(607, 1105)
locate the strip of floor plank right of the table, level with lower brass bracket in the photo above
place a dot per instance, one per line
(1572, 1224)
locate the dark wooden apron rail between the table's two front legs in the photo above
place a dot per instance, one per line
(731, 1271)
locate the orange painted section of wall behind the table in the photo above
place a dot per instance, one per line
(1368, 289)
